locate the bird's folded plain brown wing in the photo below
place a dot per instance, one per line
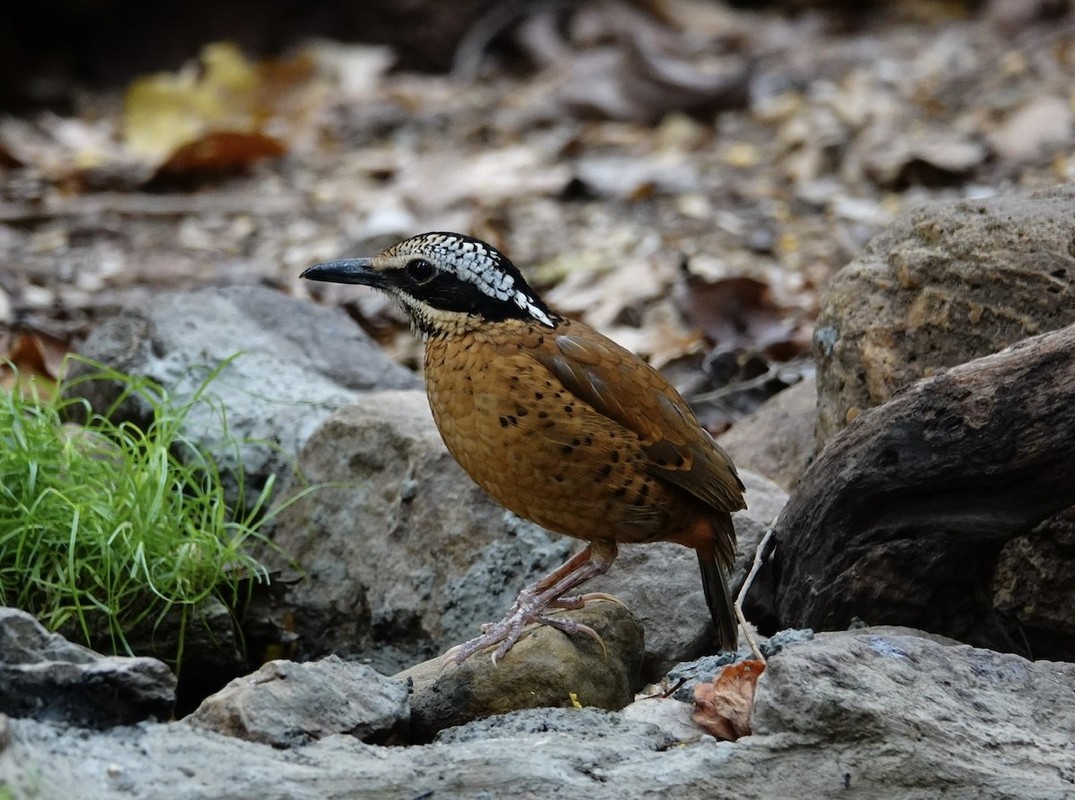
(620, 385)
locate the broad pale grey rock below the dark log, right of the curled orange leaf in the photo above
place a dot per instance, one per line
(934, 718)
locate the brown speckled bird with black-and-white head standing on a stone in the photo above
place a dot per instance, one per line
(560, 424)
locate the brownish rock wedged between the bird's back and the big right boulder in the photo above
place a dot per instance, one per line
(778, 439)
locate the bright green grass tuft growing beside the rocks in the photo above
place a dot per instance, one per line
(107, 527)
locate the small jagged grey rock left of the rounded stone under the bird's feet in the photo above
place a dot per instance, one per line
(288, 705)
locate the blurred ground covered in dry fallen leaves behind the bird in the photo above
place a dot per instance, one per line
(685, 177)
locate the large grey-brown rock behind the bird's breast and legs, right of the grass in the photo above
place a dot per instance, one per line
(404, 554)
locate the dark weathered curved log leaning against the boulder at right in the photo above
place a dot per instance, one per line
(901, 518)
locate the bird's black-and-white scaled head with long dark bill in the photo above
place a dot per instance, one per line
(447, 282)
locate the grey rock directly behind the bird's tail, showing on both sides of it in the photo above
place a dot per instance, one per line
(661, 584)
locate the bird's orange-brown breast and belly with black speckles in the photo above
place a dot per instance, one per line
(543, 453)
